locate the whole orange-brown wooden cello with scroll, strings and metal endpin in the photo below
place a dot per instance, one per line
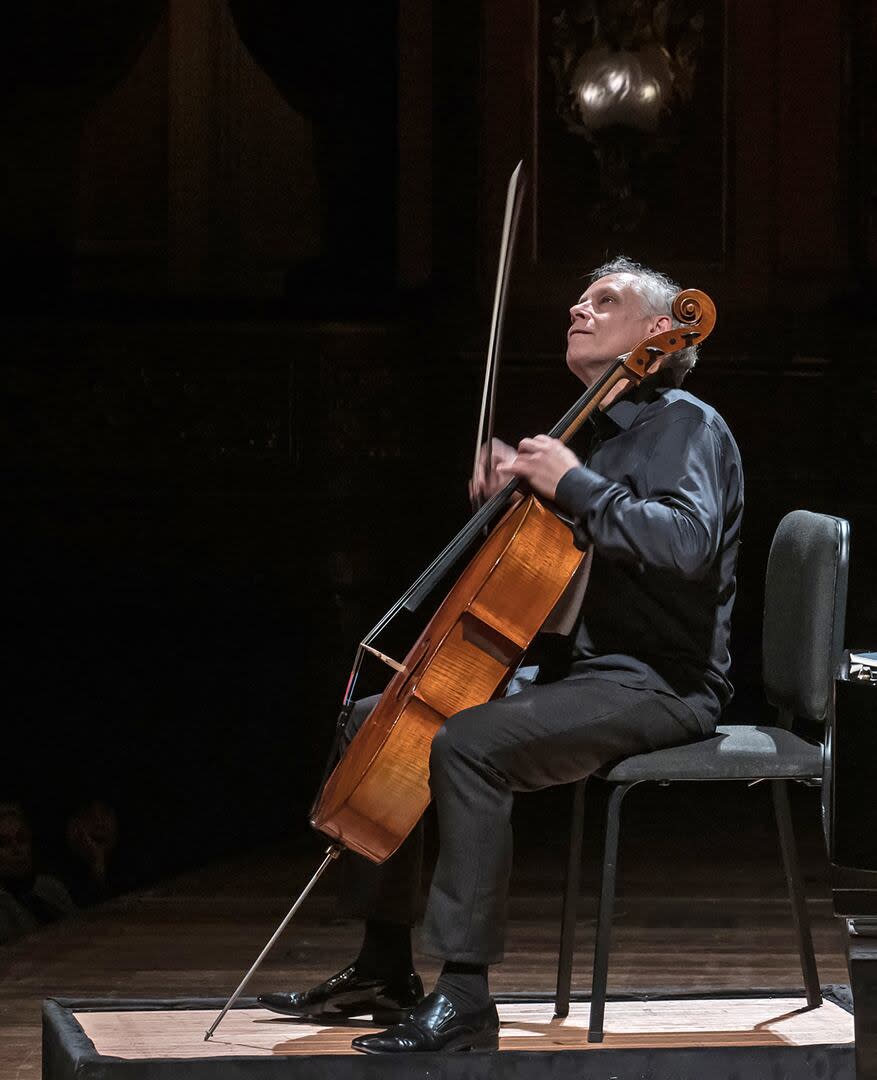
(474, 643)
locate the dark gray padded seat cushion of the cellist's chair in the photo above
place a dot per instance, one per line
(736, 752)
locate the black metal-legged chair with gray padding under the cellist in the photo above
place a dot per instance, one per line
(805, 605)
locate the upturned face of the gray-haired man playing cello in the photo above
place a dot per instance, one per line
(608, 321)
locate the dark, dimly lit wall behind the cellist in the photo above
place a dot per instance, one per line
(249, 252)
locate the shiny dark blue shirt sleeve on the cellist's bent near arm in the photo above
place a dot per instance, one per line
(672, 521)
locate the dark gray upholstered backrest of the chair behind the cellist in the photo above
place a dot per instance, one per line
(805, 611)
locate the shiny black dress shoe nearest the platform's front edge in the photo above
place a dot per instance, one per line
(436, 1025)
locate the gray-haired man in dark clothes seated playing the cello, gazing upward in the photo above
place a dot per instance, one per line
(660, 498)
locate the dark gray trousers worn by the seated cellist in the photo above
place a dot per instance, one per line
(547, 735)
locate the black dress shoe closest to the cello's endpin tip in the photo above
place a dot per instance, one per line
(350, 994)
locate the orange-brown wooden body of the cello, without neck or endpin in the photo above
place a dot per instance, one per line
(465, 657)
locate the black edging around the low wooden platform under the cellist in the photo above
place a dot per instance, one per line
(69, 1055)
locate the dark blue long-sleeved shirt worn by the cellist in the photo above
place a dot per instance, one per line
(662, 501)
